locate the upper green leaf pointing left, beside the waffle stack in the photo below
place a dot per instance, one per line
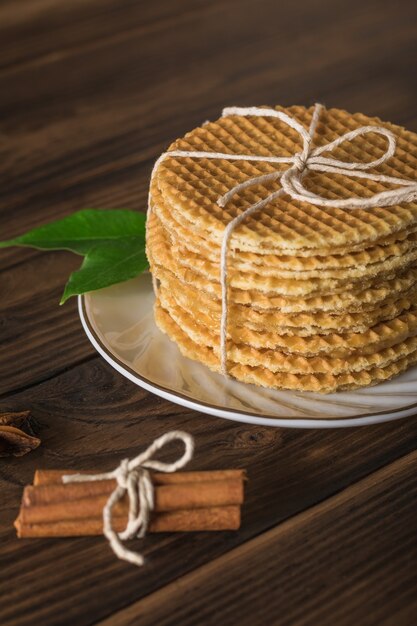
(83, 230)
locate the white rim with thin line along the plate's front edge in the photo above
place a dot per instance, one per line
(123, 368)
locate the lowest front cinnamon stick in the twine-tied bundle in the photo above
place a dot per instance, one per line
(194, 520)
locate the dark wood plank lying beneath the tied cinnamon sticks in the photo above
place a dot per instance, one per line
(91, 417)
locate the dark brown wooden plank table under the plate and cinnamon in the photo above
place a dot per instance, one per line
(91, 92)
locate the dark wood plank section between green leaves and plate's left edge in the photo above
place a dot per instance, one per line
(39, 338)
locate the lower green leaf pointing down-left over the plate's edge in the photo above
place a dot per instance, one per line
(106, 265)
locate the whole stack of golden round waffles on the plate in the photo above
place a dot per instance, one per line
(319, 299)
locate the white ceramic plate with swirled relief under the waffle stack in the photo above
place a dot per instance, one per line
(119, 323)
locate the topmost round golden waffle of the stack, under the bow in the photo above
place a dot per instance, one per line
(192, 186)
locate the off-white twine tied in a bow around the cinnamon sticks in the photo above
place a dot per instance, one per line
(133, 478)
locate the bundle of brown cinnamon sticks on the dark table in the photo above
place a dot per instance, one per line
(184, 501)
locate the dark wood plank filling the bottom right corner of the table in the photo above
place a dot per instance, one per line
(324, 566)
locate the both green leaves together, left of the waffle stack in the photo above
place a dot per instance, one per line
(111, 241)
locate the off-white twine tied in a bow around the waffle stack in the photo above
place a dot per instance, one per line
(291, 180)
